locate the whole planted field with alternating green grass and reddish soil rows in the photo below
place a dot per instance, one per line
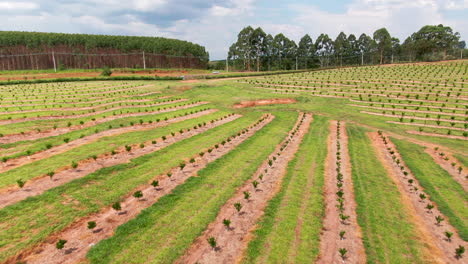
(348, 165)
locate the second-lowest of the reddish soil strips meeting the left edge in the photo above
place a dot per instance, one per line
(23, 160)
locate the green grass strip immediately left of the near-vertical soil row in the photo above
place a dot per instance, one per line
(275, 238)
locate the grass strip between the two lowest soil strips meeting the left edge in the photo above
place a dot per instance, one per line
(102, 145)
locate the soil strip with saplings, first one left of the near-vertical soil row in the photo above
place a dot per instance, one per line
(231, 242)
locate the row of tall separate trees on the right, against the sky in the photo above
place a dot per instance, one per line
(256, 50)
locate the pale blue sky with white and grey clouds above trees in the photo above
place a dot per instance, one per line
(216, 23)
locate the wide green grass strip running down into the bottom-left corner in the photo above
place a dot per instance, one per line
(31, 221)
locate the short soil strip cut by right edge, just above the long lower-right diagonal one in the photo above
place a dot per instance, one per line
(460, 177)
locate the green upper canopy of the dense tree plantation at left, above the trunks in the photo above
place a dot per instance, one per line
(37, 41)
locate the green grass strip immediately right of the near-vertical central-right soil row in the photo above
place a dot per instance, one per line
(388, 234)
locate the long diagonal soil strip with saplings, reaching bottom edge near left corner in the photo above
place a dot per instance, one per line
(80, 238)
